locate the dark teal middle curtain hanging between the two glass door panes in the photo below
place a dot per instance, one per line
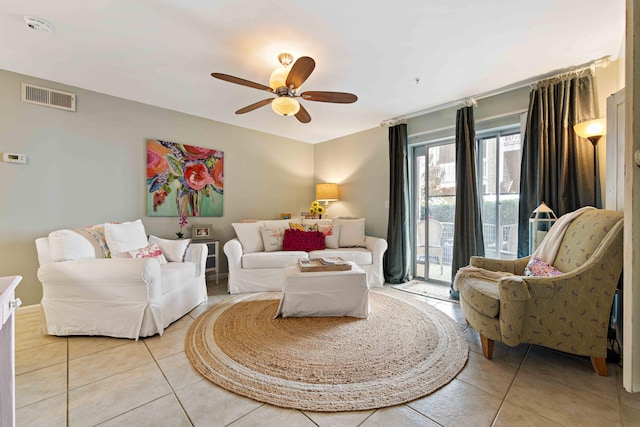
(467, 231)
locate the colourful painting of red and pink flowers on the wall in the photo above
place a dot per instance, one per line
(184, 180)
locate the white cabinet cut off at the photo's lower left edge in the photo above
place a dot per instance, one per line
(8, 305)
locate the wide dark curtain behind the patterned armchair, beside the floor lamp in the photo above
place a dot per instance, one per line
(557, 165)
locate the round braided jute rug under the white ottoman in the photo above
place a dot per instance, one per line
(406, 349)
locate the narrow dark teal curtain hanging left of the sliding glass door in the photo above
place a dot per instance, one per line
(397, 258)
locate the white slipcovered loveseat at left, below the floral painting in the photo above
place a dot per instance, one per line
(85, 293)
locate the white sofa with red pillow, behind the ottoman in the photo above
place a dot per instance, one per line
(252, 268)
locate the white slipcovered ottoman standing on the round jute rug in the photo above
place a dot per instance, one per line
(325, 293)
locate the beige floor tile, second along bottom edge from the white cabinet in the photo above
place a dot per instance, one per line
(103, 400)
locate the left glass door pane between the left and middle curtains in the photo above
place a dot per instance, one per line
(434, 191)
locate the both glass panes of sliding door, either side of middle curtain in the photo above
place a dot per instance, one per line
(433, 200)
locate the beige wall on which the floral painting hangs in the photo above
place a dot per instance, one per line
(88, 167)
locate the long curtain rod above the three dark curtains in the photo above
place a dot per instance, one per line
(472, 100)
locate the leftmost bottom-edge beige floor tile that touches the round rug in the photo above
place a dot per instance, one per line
(208, 405)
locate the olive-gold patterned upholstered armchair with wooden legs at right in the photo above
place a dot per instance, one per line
(569, 311)
